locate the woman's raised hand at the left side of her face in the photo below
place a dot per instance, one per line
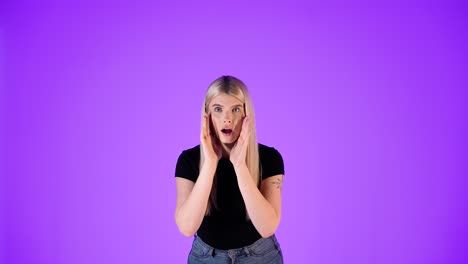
(211, 146)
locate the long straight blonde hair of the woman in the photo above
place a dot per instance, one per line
(232, 86)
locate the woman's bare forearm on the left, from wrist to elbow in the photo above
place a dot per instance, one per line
(189, 215)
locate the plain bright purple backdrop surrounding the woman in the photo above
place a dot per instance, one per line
(366, 102)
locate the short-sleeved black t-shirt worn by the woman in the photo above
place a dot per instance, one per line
(227, 226)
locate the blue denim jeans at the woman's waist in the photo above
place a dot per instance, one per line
(264, 250)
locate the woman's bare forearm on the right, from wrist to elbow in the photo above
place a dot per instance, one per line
(261, 212)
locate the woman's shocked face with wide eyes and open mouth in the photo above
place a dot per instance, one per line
(227, 113)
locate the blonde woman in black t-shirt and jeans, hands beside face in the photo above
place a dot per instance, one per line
(229, 186)
